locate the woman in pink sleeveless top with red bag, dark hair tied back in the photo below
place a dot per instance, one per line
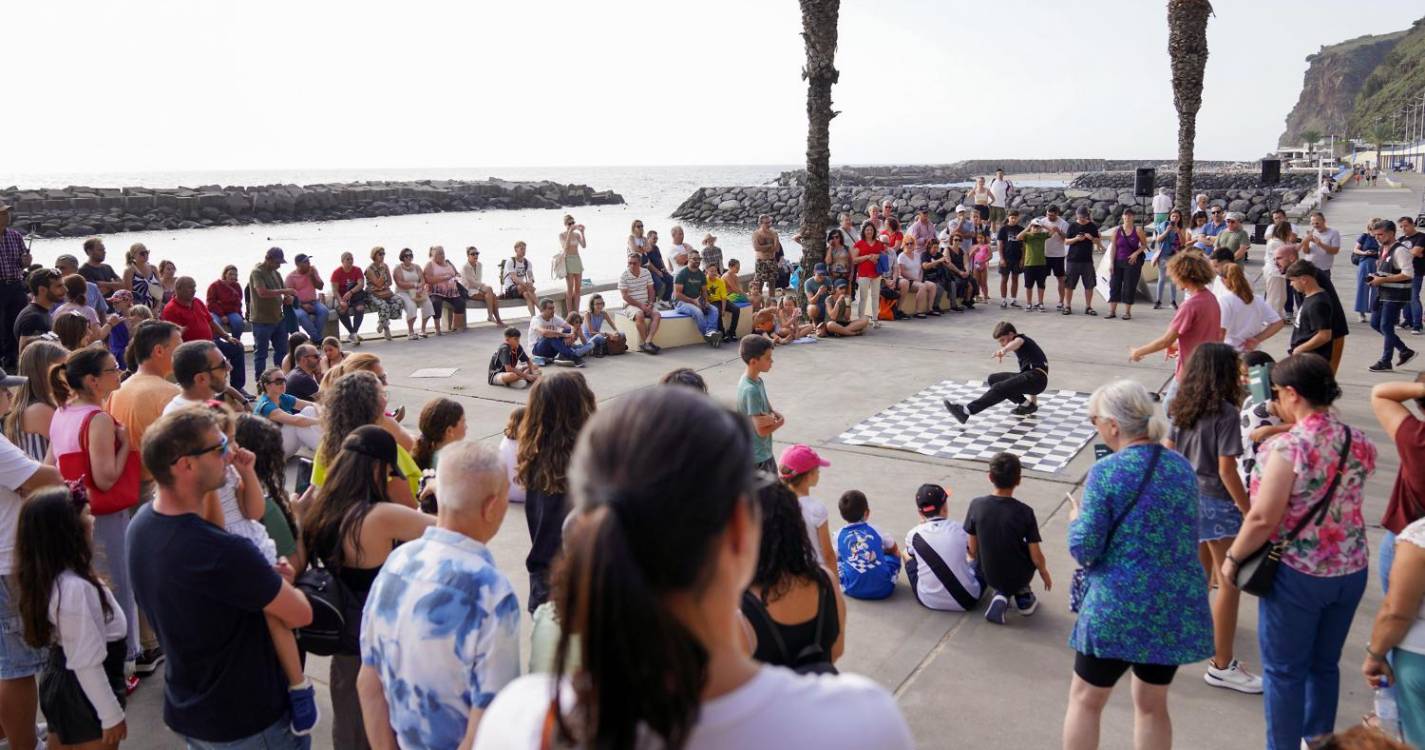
(81, 386)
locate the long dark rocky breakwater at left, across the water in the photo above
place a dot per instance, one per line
(79, 212)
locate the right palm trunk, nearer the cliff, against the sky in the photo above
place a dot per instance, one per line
(1188, 48)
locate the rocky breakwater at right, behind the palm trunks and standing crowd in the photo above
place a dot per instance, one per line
(742, 206)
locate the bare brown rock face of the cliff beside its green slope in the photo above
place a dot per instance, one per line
(1335, 78)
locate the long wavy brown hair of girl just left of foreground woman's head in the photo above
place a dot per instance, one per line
(558, 409)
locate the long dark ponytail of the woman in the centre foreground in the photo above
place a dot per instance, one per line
(601, 591)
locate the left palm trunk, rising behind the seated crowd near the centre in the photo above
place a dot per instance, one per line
(820, 38)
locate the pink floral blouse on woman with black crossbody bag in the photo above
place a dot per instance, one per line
(1337, 547)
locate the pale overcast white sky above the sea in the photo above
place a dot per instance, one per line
(169, 85)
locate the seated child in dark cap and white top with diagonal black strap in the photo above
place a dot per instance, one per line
(937, 557)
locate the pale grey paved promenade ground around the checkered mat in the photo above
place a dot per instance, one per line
(961, 681)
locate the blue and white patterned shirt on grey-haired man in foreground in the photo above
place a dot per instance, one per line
(441, 630)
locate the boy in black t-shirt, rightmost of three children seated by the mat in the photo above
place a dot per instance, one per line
(1004, 541)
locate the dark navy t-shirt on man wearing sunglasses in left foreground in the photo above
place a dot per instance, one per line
(204, 591)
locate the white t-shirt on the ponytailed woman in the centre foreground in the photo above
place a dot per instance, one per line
(774, 709)
